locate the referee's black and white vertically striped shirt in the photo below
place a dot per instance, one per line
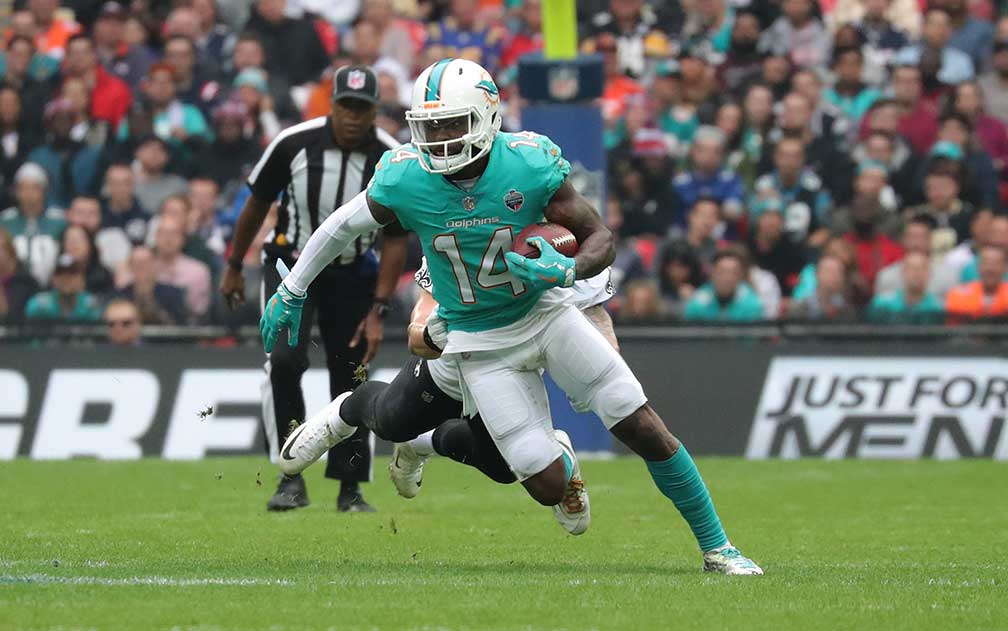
(316, 178)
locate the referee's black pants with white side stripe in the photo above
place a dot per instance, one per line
(339, 299)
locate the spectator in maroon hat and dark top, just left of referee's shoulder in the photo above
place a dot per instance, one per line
(231, 157)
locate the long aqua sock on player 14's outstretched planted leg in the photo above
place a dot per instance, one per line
(680, 481)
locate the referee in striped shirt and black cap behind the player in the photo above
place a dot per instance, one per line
(315, 168)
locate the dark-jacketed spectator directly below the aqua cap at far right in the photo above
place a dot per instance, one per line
(945, 205)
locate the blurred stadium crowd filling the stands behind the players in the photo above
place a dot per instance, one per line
(827, 161)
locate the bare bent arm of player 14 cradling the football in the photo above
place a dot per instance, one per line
(597, 246)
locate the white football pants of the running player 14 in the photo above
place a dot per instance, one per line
(507, 388)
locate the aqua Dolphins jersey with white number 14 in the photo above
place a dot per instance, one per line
(466, 233)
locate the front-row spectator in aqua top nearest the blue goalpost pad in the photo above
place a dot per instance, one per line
(727, 298)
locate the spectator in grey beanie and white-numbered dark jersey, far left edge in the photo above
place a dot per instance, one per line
(35, 226)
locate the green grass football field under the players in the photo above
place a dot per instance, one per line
(190, 547)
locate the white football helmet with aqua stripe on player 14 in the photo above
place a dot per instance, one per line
(454, 94)
